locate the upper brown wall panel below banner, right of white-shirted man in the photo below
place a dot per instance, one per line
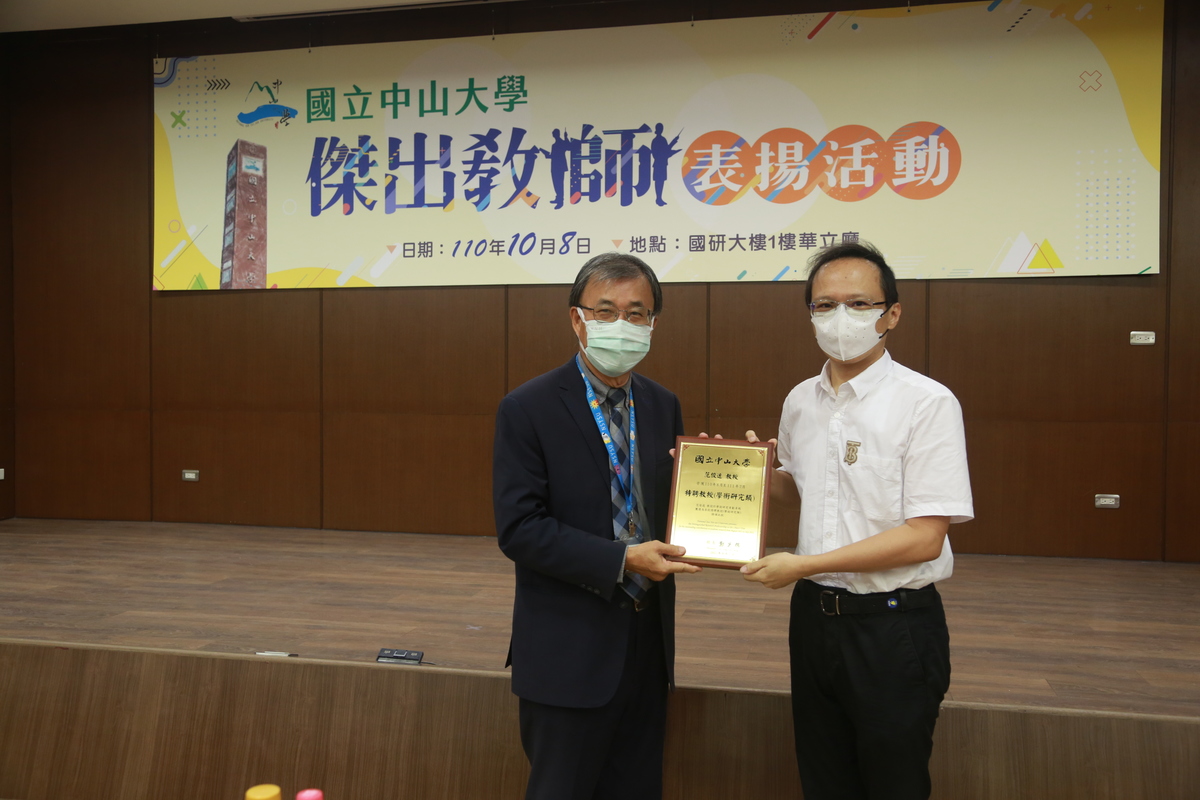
(1055, 350)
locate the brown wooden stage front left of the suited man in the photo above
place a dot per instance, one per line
(141, 725)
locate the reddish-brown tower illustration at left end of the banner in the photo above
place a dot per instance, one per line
(244, 255)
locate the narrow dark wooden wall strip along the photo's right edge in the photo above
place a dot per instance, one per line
(1184, 336)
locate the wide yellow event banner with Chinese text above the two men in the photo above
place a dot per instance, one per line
(980, 140)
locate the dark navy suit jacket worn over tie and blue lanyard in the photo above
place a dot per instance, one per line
(554, 516)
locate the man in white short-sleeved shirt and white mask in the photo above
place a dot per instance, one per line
(877, 455)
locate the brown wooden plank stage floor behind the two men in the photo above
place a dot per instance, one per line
(1039, 633)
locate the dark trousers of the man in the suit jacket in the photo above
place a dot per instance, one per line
(613, 753)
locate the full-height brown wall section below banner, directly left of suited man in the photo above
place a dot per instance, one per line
(412, 381)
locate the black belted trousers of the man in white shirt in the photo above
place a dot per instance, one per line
(866, 695)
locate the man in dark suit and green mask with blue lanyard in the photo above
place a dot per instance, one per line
(581, 482)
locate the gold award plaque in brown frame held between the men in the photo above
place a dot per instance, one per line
(719, 497)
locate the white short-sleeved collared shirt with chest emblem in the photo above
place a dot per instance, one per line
(886, 448)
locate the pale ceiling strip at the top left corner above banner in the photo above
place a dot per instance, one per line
(50, 15)
